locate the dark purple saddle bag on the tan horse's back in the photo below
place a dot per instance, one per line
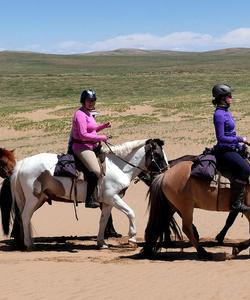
(204, 167)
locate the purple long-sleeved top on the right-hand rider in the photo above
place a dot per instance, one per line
(225, 129)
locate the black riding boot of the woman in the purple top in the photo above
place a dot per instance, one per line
(238, 195)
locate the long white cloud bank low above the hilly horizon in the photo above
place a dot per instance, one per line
(182, 41)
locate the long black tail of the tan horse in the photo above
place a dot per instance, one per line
(161, 222)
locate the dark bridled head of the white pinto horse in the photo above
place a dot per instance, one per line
(155, 159)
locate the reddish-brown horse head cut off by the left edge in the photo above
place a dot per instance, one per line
(7, 162)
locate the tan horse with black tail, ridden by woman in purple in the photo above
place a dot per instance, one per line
(176, 191)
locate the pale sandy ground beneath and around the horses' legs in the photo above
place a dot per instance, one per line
(67, 265)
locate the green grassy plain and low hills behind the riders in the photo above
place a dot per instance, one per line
(171, 82)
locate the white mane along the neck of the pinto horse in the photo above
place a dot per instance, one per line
(124, 149)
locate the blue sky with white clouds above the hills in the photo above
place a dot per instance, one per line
(79, 26)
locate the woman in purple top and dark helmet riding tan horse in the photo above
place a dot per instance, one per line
(229, 144)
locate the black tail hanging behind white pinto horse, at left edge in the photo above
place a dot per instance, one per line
(6, 204)
